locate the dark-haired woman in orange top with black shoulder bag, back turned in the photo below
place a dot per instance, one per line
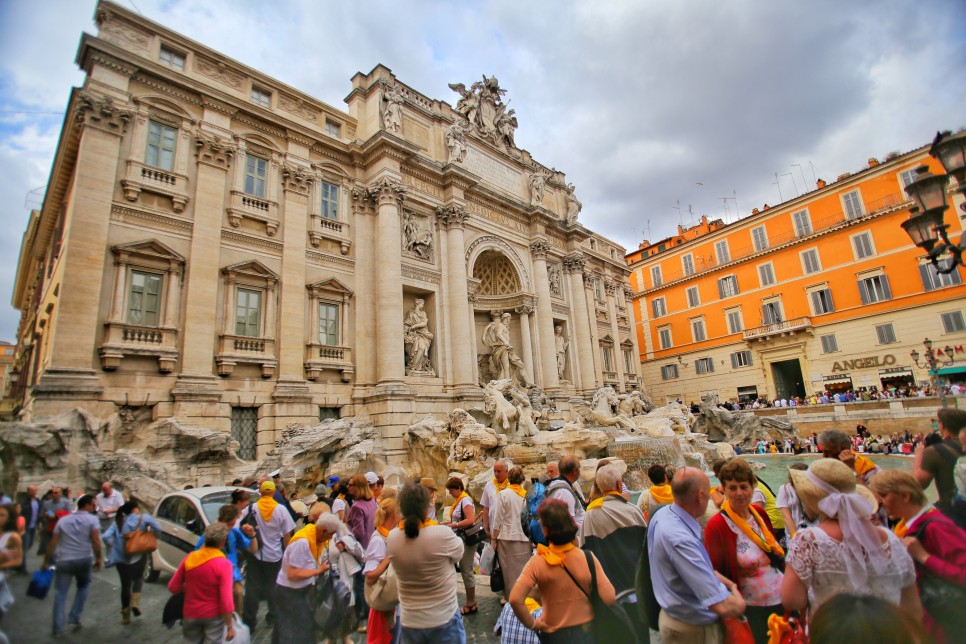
(567, 612)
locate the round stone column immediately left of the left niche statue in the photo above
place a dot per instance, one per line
(390, 358)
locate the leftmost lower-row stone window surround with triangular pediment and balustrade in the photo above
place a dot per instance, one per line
(123, 339)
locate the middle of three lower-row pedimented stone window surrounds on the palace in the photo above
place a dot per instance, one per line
(233, 348)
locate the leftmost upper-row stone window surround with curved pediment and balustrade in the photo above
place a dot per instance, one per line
(139, 176)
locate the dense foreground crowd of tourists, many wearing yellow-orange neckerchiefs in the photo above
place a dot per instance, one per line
(843, 551)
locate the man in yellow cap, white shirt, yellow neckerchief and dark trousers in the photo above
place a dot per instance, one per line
(275, 527)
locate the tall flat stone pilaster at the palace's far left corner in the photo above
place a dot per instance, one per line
(100, 122)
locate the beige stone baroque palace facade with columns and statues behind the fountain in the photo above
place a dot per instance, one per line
(229, 251)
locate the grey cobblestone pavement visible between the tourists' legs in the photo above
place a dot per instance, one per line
(30, 620)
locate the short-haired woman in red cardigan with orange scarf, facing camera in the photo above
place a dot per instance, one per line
(742, 547)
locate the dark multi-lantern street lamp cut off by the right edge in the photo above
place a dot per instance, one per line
(925, 225)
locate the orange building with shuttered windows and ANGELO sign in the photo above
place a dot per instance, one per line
(824, 292)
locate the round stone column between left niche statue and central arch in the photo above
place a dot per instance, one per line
(453, 218)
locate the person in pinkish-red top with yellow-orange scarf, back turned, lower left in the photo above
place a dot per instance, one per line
(205, 578)
